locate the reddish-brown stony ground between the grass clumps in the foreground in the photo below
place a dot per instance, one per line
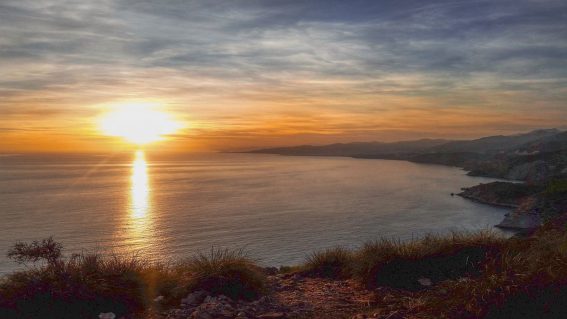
(292, 296)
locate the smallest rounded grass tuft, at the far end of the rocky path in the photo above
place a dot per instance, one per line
(329, 263)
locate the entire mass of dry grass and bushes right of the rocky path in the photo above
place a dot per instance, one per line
(462, 275)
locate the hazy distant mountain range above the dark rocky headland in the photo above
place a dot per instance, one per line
(534, 156)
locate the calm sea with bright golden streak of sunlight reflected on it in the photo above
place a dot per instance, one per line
(279, 209)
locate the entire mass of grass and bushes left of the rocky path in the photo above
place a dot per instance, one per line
(85, 285)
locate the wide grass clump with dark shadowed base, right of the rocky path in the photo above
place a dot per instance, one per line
(434, 258)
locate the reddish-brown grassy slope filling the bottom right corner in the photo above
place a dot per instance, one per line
(527, 280)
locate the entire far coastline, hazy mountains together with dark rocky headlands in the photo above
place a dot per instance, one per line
(537, 158)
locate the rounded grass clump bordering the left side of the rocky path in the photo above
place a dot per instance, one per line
(230, 273)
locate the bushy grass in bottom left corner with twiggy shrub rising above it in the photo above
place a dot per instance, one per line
(81, 286)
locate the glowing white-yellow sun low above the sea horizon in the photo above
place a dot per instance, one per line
(138, 123)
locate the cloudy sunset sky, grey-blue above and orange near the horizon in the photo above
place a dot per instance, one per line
(245, 74)
